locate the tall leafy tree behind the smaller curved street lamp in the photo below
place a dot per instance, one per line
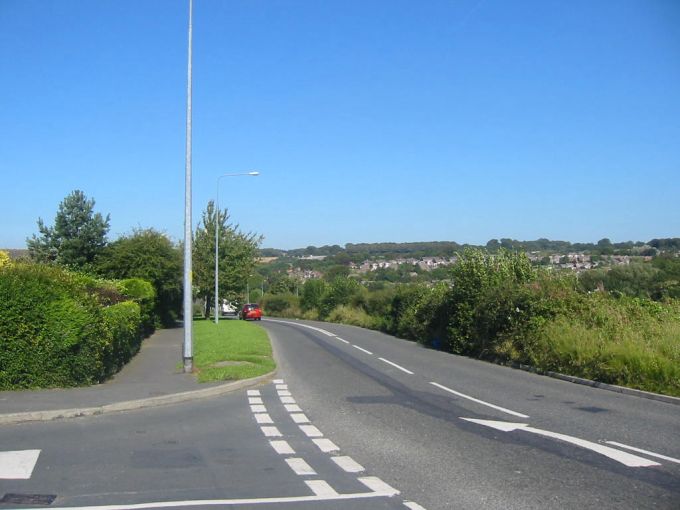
(238, 252)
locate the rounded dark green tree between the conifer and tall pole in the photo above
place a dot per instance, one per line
(150, 255)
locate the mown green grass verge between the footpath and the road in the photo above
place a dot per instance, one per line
(244, 344)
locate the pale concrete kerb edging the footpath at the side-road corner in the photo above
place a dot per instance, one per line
(176, 398)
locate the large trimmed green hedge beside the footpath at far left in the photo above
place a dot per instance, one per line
(56, 329)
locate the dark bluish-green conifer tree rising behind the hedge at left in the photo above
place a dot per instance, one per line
(77, 237)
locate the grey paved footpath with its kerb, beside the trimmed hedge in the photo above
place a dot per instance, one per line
(153, 377)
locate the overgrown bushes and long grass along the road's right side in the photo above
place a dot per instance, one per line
(620, 326)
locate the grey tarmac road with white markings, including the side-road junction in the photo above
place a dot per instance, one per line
(356, 419)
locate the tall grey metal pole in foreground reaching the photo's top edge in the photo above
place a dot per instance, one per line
(187, 351)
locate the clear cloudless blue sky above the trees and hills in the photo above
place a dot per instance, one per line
(370, 121)
